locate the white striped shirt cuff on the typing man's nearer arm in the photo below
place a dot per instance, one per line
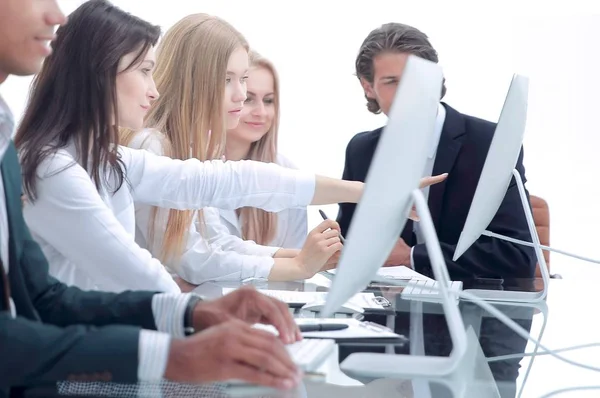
(153, 354)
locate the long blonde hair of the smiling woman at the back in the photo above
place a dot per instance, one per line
(259, 225)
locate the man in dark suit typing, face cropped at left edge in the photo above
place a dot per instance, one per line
(50, 332)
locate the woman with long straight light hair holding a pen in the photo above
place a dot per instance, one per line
(201, 72)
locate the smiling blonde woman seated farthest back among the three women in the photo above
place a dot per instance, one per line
(255, 138)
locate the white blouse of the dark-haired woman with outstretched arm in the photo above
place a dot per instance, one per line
(88, 234)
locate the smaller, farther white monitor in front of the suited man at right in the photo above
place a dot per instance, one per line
(496, 175)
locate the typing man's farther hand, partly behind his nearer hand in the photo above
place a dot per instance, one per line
(250, 306)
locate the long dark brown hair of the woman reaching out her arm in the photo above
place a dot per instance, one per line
(73, 99)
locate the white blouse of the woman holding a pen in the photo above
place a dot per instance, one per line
(217, 255)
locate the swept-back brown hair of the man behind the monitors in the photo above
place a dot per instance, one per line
(395, 38)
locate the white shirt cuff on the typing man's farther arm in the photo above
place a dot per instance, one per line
(169, 311)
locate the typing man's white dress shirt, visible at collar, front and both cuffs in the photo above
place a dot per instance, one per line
(168, 309)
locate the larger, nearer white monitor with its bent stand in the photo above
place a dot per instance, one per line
(391, 186)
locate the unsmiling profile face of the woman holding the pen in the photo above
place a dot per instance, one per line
(235, 86)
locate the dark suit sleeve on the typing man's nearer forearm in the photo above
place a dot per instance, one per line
(35, 353)
